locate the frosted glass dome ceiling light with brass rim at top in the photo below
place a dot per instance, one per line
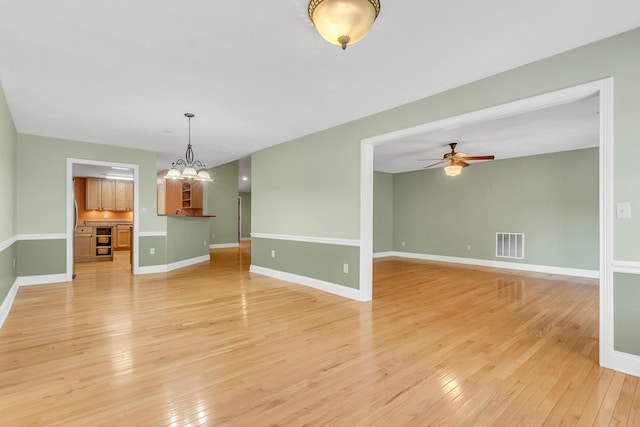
(343, 22)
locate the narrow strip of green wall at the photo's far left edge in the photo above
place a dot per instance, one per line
(8, 189)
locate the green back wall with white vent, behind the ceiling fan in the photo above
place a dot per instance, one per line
(551, 198)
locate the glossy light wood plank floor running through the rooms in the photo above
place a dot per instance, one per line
(213, 344)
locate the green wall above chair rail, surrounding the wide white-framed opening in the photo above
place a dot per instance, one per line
(311, 186)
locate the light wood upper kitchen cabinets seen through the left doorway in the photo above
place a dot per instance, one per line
(108, 195)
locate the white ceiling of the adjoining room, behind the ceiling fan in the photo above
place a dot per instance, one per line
(570, 126)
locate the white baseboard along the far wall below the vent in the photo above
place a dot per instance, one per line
(577, 272)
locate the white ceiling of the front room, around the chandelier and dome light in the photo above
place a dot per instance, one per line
(255, 73)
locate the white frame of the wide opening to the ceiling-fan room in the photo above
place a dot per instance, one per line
(604, 89)
